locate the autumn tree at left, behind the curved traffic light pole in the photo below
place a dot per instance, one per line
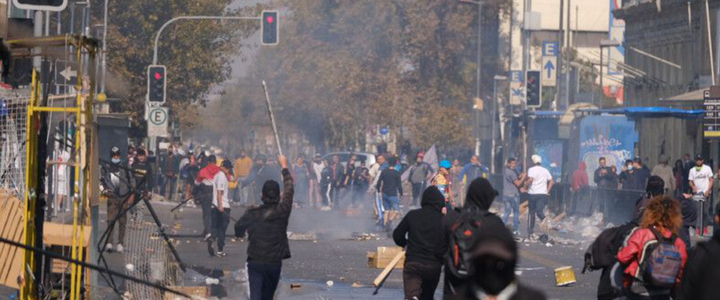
(197, 53)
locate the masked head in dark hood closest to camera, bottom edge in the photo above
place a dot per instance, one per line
(494, 256)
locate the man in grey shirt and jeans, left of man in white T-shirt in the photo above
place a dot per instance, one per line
(512, 181)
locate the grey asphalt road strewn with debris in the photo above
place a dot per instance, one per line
(336, 256)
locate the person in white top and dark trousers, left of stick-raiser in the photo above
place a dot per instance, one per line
(221, 208)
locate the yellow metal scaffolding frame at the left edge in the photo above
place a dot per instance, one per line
(34, 140)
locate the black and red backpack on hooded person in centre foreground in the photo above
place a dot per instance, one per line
(462, 235)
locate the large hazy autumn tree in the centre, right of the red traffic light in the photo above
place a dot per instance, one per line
(345, 67)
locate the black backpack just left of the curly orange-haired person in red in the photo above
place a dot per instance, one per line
(602, 253)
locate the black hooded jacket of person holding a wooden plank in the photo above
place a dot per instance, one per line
(425, 239)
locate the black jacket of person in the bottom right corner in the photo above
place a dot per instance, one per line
(700, 277)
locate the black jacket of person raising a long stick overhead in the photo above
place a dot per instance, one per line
(267, 226)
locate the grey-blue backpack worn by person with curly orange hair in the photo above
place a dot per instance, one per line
(660, 262)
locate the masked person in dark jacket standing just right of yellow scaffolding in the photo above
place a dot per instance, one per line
(116, 183)
